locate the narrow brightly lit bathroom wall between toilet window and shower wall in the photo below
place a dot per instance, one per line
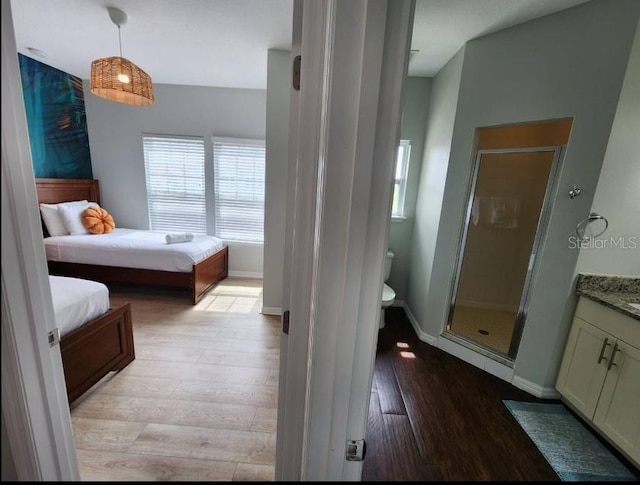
(441, 118)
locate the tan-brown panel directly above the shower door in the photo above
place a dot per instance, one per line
(524, 135)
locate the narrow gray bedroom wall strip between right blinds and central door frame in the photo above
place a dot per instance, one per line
(277, 147)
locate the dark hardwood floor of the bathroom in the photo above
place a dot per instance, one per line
(435, 417)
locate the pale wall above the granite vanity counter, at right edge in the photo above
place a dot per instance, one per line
(617, 195)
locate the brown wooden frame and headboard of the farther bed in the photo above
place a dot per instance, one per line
(204, 275)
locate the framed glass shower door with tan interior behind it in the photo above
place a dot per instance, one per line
(499, 242)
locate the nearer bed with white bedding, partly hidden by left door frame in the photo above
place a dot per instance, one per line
(95, 339)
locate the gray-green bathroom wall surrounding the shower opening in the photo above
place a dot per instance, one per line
(570, 64)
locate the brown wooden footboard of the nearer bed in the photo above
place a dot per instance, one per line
(96, 348)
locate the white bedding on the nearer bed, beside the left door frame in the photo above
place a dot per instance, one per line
(77, 301)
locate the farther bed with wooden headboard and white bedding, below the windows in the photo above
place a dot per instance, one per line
(199, 268)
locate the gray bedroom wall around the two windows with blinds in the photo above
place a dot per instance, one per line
(115, 138)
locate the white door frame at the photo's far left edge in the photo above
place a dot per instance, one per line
(34, 399)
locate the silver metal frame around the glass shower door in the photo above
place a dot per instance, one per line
(541, 229)
